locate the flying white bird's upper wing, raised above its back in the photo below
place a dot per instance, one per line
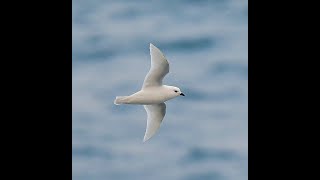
(159, 68)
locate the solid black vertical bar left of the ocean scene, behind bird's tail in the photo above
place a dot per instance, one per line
(38, 85)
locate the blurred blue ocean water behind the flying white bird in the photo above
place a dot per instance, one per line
(205, 134)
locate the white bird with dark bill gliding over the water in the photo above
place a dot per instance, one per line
(153, 94)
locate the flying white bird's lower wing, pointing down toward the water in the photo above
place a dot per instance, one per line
(156, 113)
